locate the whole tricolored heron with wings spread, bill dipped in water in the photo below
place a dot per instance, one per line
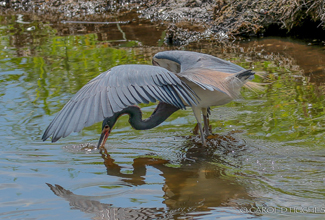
(177, 79)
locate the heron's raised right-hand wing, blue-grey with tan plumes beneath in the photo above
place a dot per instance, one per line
(208, 72)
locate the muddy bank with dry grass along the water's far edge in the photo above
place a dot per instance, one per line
(190, 20)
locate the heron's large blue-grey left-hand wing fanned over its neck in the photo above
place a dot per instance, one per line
(114, 90)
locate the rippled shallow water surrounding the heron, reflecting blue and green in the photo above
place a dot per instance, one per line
(266, 161)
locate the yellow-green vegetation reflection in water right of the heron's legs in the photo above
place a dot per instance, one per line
(290, 110)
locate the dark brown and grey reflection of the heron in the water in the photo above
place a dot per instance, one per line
(188, 190)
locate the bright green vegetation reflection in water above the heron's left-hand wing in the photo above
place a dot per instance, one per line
(63, 64)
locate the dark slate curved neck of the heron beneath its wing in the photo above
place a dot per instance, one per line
(161, 113)
